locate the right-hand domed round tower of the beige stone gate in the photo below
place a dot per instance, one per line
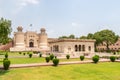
(43, 44)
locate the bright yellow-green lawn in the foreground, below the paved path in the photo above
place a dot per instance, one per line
(100, 71)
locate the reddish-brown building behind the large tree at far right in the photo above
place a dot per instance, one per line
(113, 47)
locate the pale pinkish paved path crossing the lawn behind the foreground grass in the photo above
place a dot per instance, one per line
(50, 64)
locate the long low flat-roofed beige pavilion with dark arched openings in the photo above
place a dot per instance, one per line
(72, 46)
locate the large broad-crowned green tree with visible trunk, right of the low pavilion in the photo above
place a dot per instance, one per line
(107, 37)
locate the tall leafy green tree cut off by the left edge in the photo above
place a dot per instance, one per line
(5, 30)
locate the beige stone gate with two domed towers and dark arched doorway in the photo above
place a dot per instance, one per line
(30, 41)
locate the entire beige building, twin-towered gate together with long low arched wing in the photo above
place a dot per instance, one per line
(32, 41)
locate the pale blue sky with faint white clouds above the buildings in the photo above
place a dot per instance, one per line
(62, 17)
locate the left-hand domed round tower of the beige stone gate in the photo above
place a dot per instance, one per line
(19, 38)
